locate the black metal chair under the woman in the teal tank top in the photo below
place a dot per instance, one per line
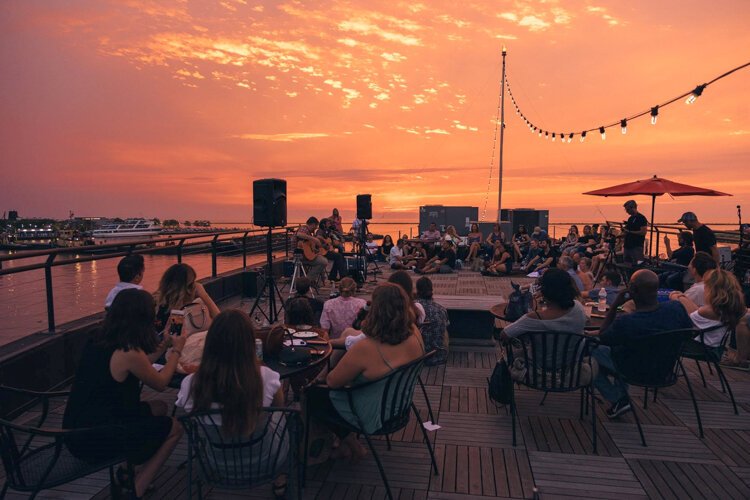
(396, 406)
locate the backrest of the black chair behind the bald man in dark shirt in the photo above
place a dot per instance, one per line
(651, 360)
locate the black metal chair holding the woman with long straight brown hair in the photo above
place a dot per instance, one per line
(242, 463)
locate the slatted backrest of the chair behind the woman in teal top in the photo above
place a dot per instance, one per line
(388, 398)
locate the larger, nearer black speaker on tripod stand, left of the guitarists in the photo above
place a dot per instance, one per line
(269, 210)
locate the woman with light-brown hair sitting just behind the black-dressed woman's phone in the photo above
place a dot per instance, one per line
(178, 289)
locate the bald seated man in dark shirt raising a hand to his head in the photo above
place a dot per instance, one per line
(650, 317)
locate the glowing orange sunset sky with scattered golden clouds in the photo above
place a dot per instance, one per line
(170, 108)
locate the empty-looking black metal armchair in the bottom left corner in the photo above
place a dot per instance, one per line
(37, 458)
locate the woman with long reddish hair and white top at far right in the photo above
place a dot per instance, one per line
(724, 307)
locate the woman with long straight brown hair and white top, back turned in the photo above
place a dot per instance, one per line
(232, 379)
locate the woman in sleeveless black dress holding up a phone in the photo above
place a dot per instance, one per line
(107, 390)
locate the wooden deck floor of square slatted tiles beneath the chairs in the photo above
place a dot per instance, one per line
(476, 457)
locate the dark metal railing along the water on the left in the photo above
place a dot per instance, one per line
(246, 242)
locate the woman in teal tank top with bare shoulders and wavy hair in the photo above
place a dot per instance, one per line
(391, 341)
